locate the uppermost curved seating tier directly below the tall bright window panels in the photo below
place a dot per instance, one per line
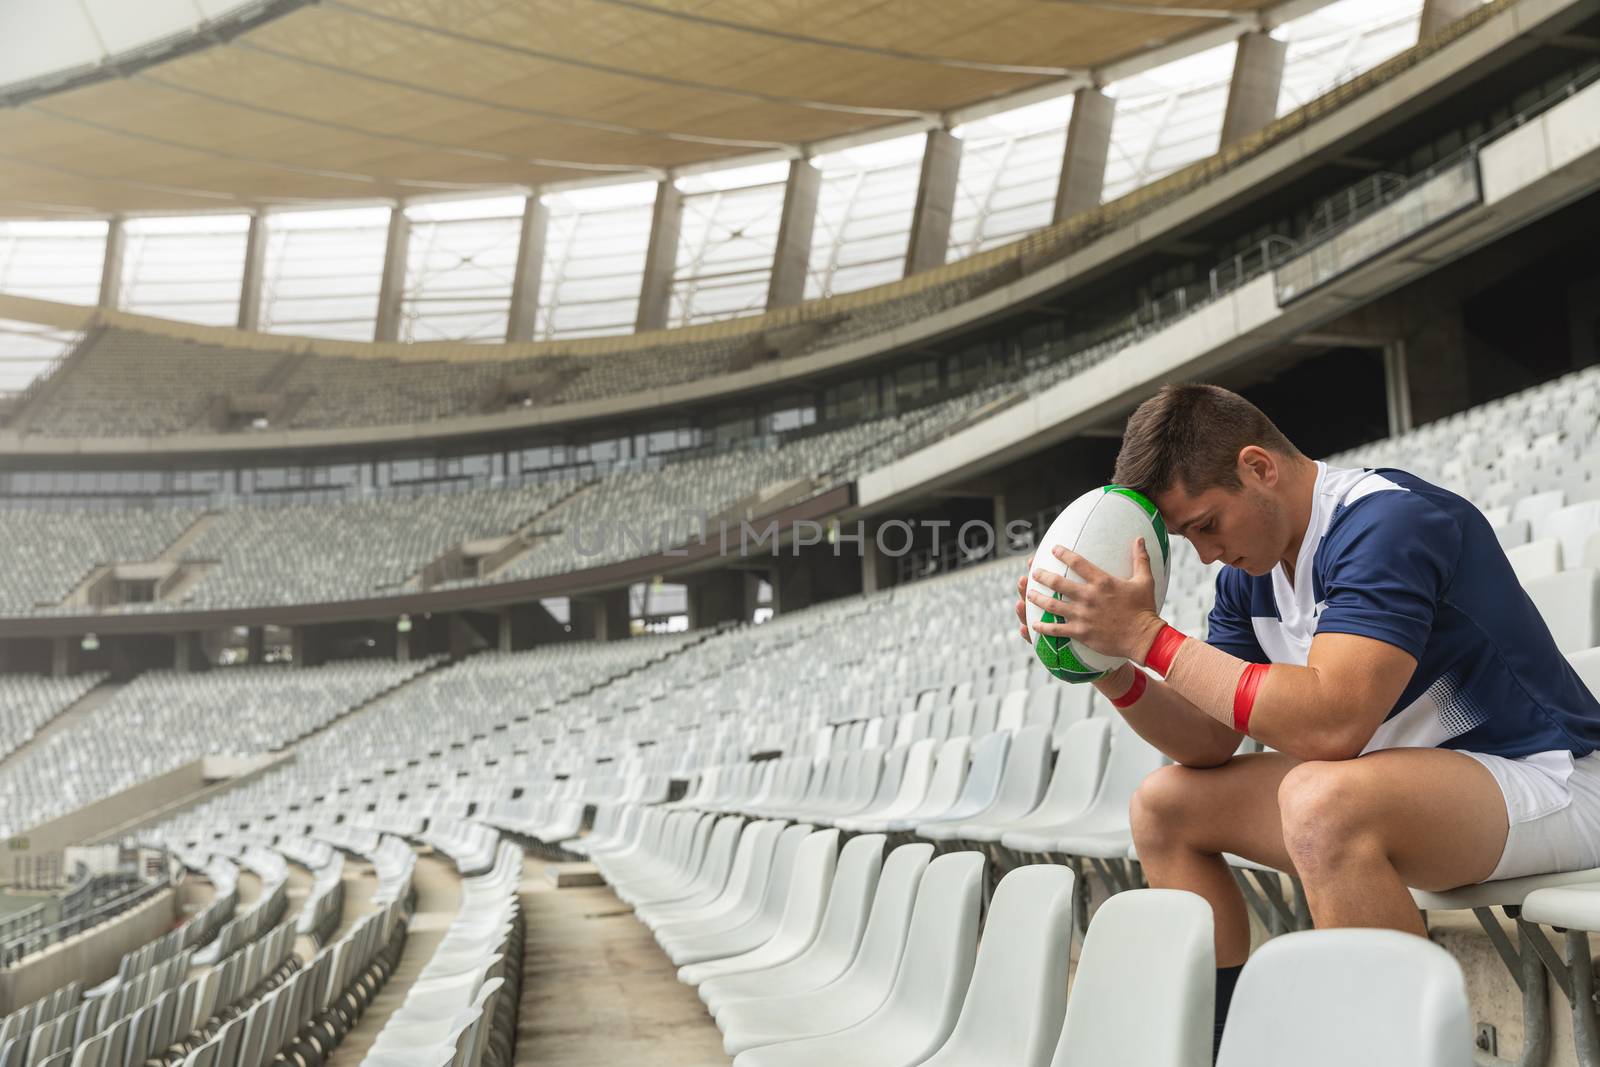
(145, 386)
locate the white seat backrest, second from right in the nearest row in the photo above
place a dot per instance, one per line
(1127, 1010)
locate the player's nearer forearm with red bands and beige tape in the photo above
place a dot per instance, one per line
(1289, 708)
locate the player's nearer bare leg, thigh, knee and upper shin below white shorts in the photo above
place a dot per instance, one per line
(1361, 831)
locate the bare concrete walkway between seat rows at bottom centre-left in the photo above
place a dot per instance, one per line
(598, 991)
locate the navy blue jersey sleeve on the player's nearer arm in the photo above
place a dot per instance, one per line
(1385, 569)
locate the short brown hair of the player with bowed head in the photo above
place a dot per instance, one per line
(1191, 436)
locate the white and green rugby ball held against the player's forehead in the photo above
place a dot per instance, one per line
(1102, 527)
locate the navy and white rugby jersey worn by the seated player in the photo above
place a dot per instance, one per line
(1391, 557)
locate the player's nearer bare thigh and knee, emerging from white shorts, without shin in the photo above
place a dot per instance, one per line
(1439, 813)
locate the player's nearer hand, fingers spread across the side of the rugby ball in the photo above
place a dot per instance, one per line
(1111, 615)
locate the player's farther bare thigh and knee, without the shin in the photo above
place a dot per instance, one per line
(1230, 809)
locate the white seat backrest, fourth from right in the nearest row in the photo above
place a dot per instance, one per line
(942, 946)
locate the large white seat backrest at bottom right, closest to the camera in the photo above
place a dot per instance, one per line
(1402, 1002)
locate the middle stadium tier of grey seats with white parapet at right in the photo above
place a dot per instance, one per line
(172, 569)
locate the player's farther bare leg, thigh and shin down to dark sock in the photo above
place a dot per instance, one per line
(1185, 820)
